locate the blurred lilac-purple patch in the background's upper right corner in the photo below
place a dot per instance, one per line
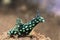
(52, 6)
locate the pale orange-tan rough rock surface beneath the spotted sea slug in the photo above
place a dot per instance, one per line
(4, 36)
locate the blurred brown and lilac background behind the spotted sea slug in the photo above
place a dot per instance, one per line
(49, 9)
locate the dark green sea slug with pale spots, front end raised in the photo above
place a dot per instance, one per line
(21, 29)
